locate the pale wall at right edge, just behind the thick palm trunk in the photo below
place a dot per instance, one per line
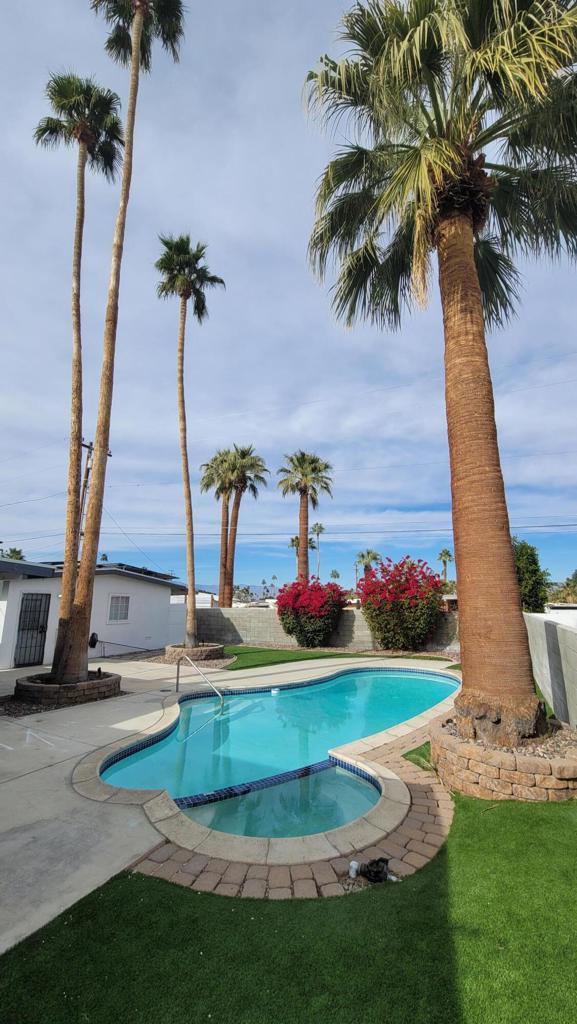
(554, 653)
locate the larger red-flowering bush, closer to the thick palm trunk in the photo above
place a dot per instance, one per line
(401, 603)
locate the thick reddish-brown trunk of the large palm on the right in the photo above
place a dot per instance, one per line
(498, 702)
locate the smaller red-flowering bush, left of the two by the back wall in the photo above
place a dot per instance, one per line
(309, 611)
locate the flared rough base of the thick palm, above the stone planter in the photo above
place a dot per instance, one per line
(500, 721)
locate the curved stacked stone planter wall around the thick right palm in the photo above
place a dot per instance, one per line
(492, 775)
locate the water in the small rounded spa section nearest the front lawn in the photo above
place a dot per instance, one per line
(302, 807)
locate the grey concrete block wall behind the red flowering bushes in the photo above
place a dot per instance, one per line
(262, 628)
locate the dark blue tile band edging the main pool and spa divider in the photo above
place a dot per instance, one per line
(239, 692)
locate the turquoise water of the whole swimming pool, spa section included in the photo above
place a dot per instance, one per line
(262, 735)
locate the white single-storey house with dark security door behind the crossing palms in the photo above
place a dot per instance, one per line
(131, 611)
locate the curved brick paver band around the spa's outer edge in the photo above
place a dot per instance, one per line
(409, 847)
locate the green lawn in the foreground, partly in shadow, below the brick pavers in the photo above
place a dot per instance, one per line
(484, 935)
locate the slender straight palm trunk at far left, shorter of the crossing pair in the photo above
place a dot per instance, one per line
(72, 540)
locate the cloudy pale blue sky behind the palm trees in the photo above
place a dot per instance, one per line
(226, 151)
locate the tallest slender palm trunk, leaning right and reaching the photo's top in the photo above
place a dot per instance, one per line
(74, 665)
